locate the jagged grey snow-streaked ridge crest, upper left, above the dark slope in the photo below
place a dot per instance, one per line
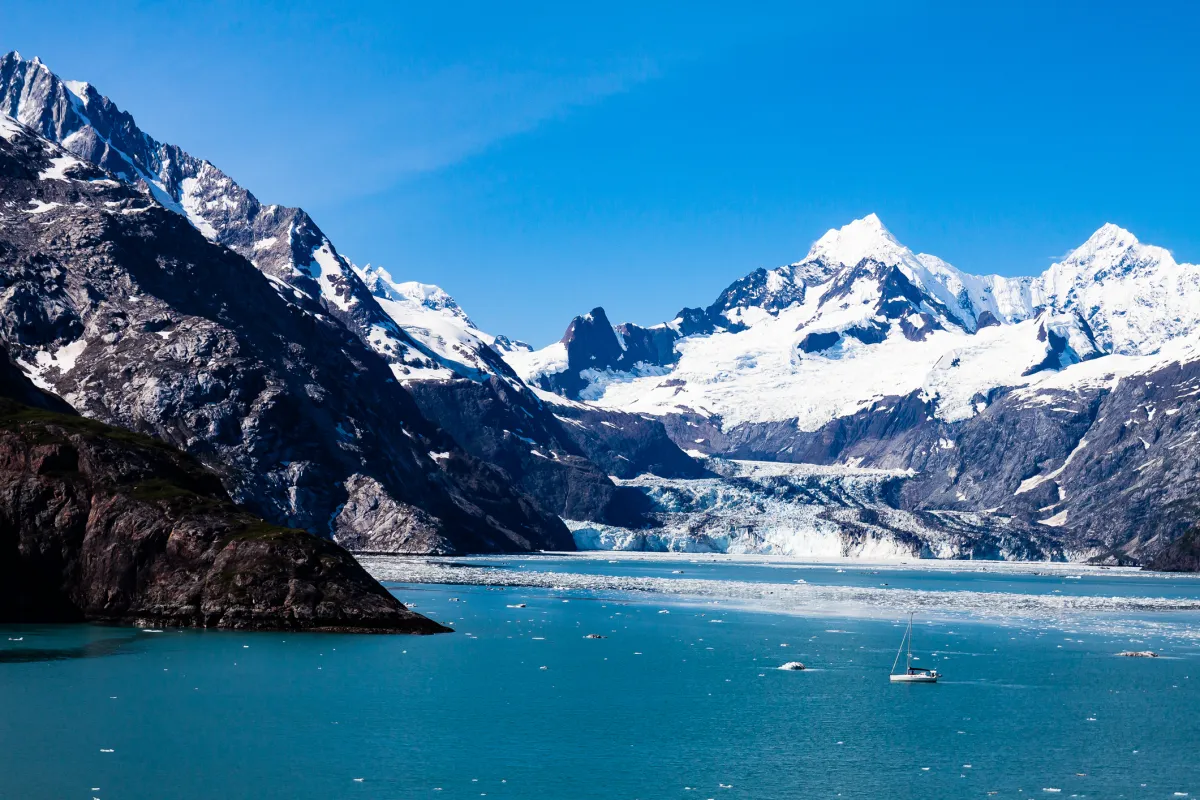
(285, 244)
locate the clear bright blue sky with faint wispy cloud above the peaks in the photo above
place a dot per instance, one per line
(539, 160)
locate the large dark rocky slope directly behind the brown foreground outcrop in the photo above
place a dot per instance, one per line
(124, 310)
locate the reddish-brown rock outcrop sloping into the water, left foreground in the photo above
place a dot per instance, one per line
(103, 525)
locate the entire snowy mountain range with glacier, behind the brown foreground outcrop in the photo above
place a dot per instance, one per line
(866, 400)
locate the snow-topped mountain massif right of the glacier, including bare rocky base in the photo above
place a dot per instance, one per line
(1063, 406)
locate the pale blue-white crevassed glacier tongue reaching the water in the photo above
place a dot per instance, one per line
(808, 512)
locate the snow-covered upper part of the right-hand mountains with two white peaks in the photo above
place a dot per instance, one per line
(862, 318)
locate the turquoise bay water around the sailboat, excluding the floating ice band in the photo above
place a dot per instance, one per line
(683, 705)
